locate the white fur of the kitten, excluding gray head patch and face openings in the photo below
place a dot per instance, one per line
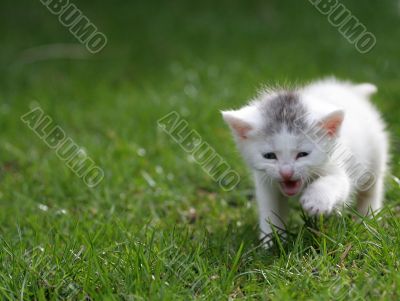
(328, 181)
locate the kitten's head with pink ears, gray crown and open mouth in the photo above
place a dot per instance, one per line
(277, 137)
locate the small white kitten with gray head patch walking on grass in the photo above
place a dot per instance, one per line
(325, 142)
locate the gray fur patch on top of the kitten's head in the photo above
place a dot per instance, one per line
(284, 109)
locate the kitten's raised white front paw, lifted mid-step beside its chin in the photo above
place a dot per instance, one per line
(326, 193)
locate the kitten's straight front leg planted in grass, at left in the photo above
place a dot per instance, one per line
(272, 206)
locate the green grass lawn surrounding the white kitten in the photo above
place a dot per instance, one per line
(182, 238)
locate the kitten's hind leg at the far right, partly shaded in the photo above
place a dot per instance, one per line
(372, 198)
